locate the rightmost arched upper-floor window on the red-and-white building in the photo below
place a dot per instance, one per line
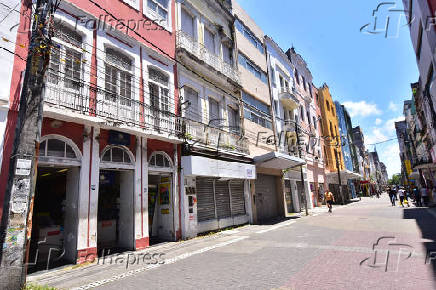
(158, 88)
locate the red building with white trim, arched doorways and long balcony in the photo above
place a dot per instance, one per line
(109, 155)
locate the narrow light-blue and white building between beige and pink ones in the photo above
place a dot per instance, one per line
(286, 109)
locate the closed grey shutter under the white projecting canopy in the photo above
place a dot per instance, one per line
(266, 198)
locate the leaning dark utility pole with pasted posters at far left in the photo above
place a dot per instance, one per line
(15, 229)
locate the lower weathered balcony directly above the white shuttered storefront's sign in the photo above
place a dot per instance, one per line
(214, 138)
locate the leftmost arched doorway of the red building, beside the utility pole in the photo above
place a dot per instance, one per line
(55, 215)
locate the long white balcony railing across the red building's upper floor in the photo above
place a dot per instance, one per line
(113, 110)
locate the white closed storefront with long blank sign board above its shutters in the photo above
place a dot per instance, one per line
(217, 194)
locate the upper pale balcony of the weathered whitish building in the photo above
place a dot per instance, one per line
(202, 54)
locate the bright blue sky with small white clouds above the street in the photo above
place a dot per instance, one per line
(369, 73)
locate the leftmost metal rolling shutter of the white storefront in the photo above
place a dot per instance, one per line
(205, 199)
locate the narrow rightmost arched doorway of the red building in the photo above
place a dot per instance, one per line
(161, 197)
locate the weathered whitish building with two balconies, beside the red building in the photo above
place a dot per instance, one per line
(215, 162)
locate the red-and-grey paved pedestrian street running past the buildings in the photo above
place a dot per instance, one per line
(324, 251)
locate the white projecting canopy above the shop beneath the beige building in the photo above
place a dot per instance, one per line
(277, 160)
